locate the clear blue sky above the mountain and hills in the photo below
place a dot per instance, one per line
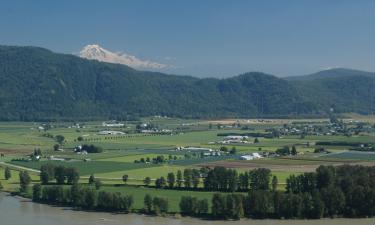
(214, 38)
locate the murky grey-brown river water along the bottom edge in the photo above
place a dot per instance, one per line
(17, 211)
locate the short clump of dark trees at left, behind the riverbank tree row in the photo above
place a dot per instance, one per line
(49, 172)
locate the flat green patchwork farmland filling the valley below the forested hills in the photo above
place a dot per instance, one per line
(128, 152)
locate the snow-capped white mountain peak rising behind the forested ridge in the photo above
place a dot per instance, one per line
(96, 52)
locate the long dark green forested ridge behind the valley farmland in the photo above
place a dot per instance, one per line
(37, 84)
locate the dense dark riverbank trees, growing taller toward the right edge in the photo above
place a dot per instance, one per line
(344, 191)
